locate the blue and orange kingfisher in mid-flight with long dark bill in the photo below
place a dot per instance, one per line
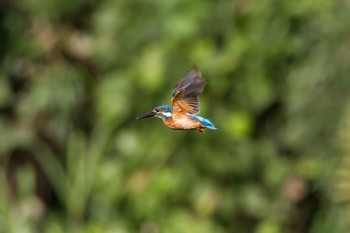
(182, 113)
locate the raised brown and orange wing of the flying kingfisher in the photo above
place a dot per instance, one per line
(186, 93)
